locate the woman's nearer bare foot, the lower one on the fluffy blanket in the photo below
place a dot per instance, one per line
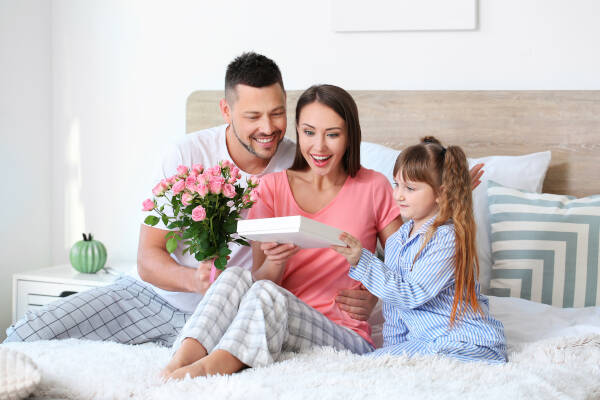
(217, 362)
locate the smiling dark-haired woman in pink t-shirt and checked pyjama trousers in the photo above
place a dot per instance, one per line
(287, 302)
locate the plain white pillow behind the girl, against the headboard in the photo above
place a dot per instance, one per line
(525, 172)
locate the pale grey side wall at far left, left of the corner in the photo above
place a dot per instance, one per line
(25, 131)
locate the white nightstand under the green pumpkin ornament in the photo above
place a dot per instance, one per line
(36, 288)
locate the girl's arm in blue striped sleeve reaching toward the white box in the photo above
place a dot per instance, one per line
(431, 273)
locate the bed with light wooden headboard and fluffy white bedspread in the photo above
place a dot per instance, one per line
(554, 349)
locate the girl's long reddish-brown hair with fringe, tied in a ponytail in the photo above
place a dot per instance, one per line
(446, 170)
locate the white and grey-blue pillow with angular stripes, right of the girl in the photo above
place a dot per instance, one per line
(544, 246)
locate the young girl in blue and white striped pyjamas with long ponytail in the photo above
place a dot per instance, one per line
(428, 283)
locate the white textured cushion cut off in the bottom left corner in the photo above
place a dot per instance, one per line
(18, 374)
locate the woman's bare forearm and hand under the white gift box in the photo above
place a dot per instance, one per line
(269, 260)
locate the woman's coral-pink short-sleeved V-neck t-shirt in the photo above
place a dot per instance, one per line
(362, 207)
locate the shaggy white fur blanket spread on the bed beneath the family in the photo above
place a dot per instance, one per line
(558, 368)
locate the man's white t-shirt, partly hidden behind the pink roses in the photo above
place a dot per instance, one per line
(208, 147)
